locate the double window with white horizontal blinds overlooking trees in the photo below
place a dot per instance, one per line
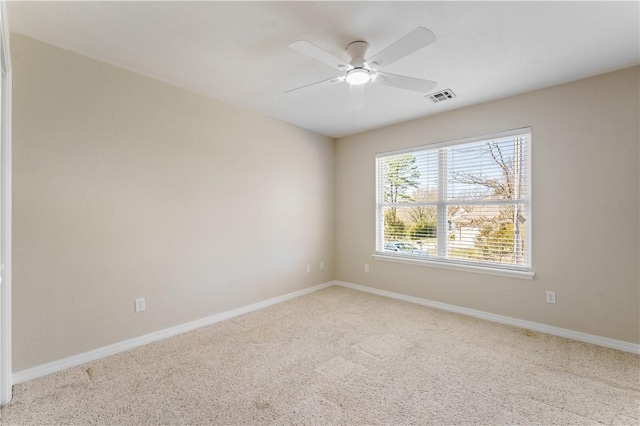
(463, 203)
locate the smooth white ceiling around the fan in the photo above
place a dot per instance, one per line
(238, 51)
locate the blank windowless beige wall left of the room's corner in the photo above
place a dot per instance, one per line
(126, 187)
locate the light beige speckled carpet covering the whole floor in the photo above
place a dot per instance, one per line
(346, 357)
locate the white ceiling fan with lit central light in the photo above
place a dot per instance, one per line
(361, 71)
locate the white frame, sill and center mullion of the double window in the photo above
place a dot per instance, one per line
(524, 271)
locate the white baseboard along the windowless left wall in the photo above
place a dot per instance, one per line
(73, 361)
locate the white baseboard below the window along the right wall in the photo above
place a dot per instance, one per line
(543, 328)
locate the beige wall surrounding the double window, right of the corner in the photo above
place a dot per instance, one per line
(585, 168)
